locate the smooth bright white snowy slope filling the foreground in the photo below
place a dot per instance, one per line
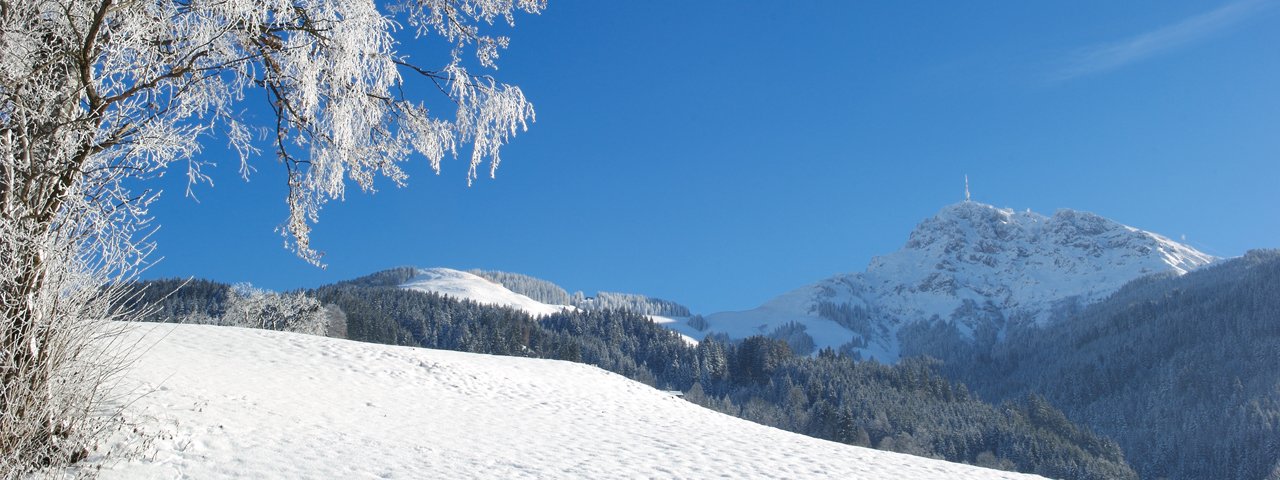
(232, 403)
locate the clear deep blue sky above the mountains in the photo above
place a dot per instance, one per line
(721, 153)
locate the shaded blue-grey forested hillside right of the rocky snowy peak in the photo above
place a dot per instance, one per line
(1181, 371)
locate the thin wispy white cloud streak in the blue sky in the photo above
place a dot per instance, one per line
(1109, 57)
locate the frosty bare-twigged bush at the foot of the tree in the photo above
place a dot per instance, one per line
(57, 350)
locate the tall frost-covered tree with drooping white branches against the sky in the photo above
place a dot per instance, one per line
(100, 97)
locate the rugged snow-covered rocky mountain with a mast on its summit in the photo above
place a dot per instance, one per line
(975, 267)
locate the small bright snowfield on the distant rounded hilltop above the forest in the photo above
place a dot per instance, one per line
(461, 285)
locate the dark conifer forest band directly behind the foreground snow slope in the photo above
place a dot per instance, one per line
(895, 408)
